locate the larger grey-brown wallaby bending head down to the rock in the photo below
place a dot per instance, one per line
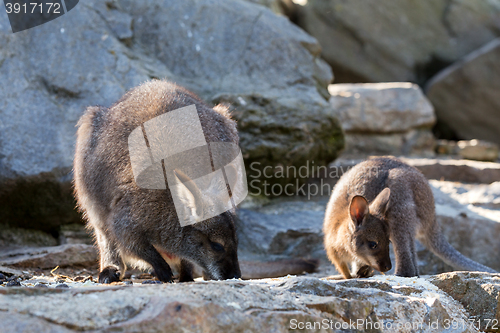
(137, 225)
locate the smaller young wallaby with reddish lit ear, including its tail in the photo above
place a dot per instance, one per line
(379, 201)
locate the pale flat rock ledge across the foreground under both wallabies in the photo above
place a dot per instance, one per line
(439, 303)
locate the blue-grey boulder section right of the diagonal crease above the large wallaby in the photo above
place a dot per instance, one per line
(267, 68)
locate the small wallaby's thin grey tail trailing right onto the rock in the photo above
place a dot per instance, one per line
(440, 246)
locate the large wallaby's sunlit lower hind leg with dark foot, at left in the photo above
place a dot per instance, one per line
(110, 259)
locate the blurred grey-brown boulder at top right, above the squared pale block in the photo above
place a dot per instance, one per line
(378, 40)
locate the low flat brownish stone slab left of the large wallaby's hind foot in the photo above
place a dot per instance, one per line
(50, 257)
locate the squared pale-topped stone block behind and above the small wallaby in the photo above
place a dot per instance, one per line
(384, 118)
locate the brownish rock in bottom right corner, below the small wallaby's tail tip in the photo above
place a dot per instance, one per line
(478, 293)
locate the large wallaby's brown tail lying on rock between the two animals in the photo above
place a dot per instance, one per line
(272, 269)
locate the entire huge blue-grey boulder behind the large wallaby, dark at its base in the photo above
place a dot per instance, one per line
(231, 51)
